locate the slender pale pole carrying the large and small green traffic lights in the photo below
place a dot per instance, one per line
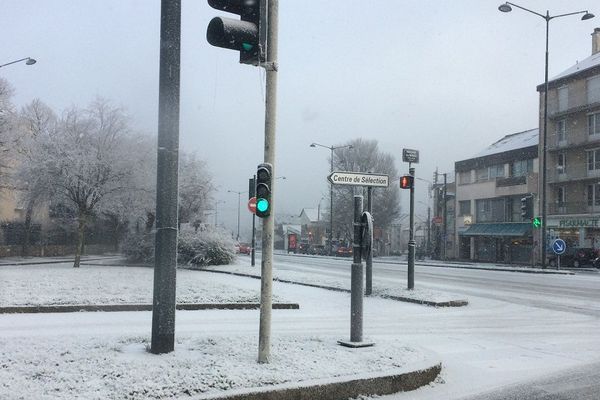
(266, 286)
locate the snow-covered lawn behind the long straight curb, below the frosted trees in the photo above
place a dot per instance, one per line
(61, 284)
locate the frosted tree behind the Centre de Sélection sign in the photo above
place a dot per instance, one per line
(364, 156)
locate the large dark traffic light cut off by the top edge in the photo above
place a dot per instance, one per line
(243, 35)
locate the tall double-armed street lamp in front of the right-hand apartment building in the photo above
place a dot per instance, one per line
(506, 7)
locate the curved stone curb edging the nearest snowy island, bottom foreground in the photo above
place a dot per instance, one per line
(341, 389)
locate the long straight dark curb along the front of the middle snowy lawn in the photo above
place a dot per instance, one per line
(139, 307)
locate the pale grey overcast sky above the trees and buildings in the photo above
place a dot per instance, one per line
(445, 77)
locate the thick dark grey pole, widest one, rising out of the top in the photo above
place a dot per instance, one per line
(165, 264)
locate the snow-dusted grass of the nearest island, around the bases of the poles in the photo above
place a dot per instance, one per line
(122, 368)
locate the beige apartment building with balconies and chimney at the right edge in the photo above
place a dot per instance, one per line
(573, 151)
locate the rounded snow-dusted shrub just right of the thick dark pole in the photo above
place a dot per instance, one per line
(208, 246)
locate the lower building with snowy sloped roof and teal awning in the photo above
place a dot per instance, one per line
(489, 189)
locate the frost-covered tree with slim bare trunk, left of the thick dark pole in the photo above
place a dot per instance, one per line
(84, 161)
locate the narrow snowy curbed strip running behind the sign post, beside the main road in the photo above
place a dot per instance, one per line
(417, 296)
